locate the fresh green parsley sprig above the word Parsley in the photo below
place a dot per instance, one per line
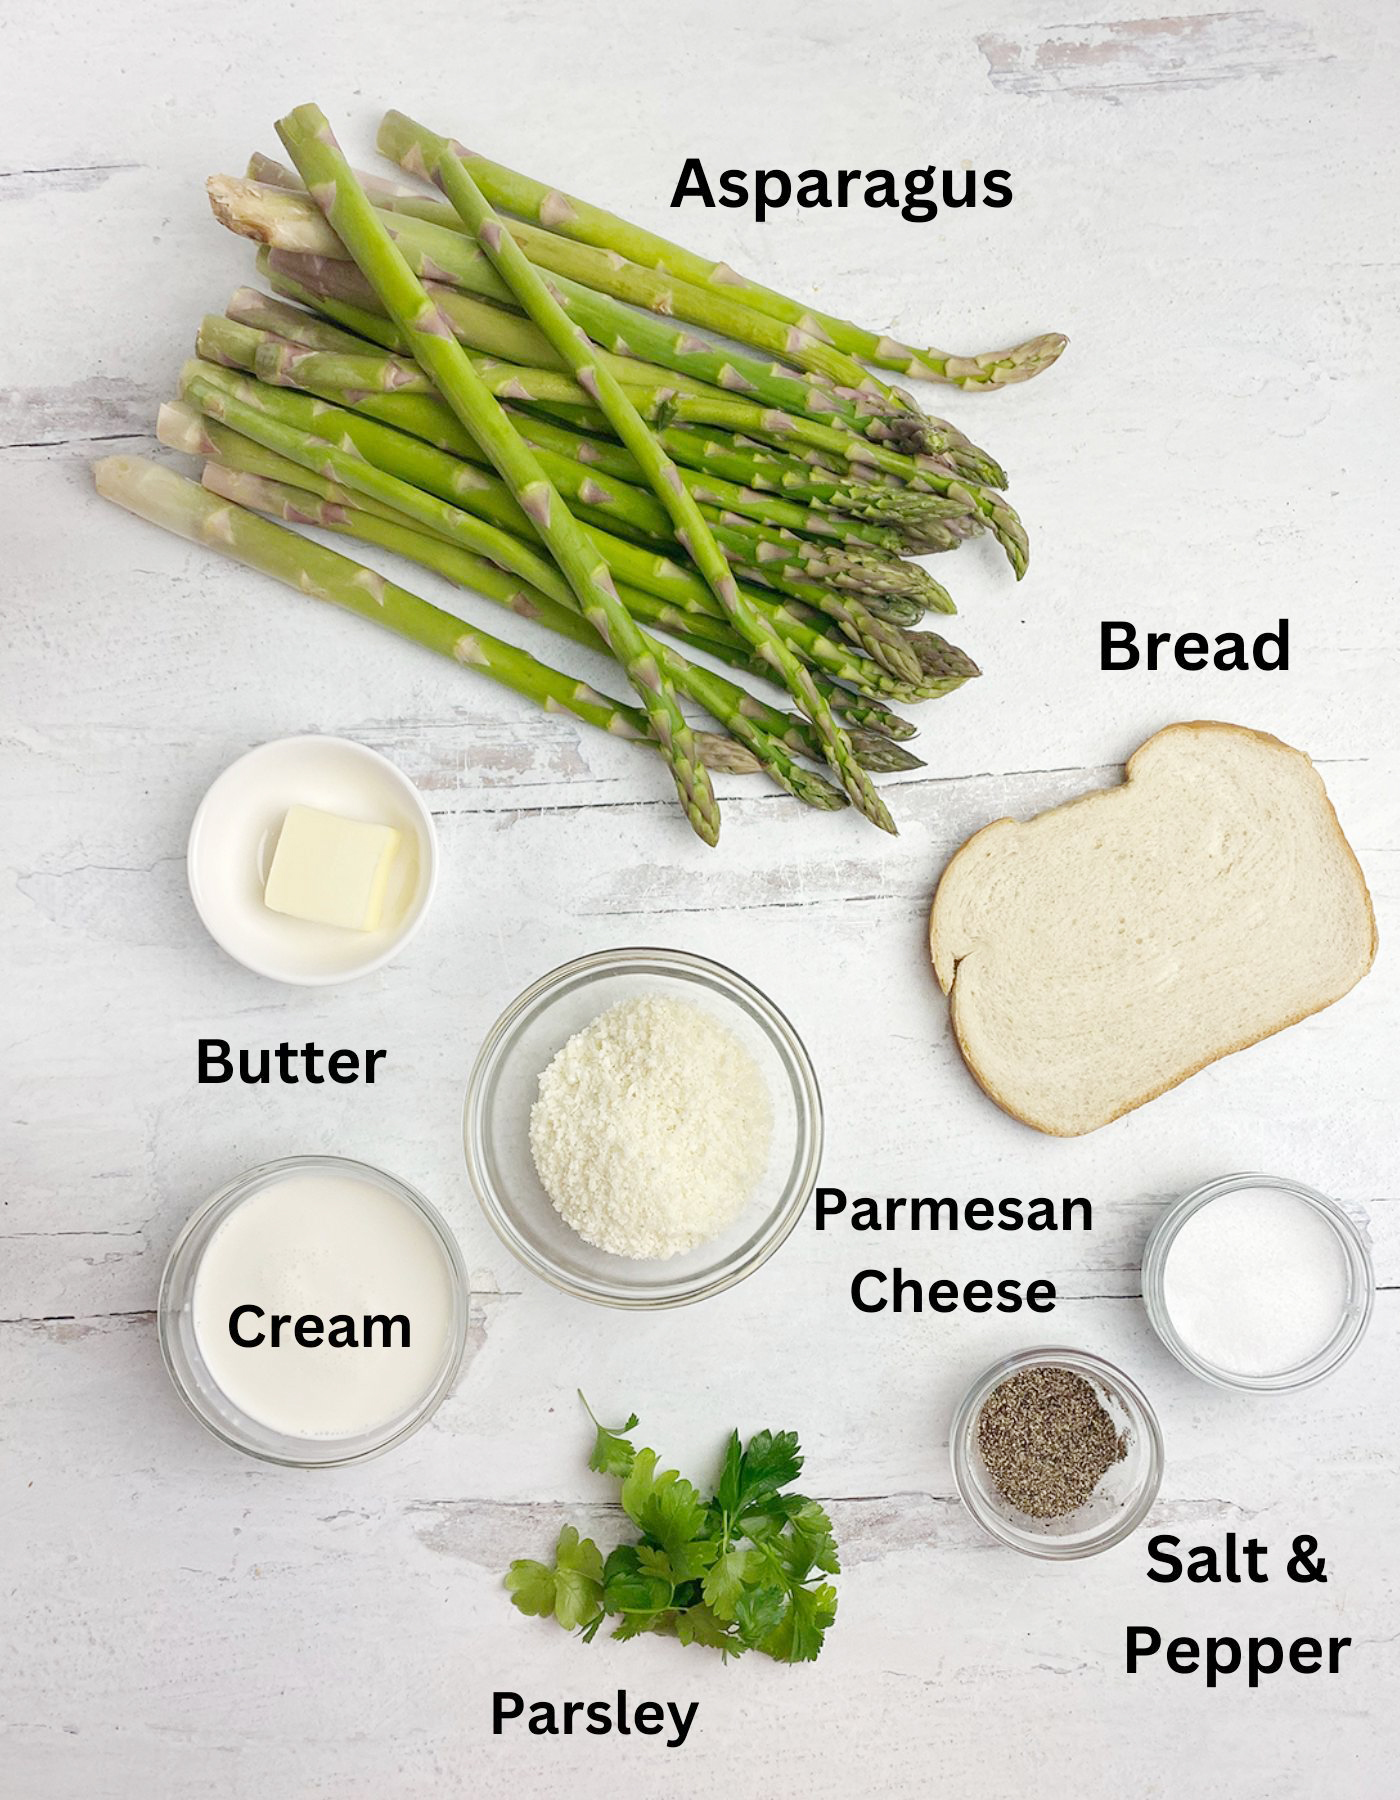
(739, 1572)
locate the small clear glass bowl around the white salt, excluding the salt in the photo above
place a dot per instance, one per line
(1360, 1286)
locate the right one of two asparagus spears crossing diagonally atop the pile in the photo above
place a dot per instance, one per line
(663, 476)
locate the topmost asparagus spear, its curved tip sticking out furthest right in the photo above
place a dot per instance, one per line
(575, 219)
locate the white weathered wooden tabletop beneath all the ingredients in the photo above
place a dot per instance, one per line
(1205, 204)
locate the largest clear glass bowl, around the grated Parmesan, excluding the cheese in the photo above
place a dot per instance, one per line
(505, 1083)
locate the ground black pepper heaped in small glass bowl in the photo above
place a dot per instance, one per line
(1046, 1441)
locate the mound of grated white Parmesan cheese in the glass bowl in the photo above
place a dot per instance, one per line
(652, 1129)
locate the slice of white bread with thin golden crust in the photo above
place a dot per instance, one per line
(1102, 953)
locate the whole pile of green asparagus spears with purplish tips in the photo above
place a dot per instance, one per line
(598, 431)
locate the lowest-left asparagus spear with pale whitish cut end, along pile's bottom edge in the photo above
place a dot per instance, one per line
(190, 512)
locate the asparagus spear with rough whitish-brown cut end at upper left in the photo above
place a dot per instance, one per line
(291, 226)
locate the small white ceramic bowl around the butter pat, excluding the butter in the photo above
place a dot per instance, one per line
(235, 834)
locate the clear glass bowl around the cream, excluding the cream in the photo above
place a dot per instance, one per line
(190, 1372)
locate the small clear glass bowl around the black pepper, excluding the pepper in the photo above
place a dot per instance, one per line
(1117, 1507)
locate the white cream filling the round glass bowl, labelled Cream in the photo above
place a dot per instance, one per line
(361, 1270)
